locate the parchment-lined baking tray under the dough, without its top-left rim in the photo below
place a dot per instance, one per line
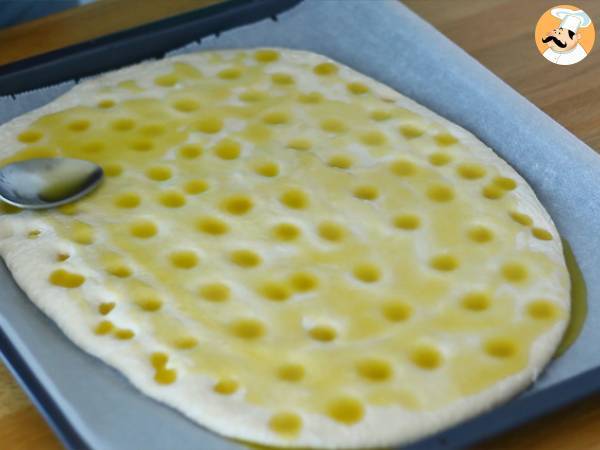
(91, 405)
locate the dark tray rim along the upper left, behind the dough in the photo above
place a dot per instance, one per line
(152, 40)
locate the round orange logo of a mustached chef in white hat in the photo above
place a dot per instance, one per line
(565, 35)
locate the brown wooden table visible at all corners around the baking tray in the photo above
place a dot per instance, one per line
(499, 33)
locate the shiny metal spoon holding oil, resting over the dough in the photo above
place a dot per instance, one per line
(47, 182)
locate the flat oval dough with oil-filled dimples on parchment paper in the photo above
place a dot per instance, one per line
(287, 251)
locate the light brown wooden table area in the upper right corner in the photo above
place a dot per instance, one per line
(499, 33)
